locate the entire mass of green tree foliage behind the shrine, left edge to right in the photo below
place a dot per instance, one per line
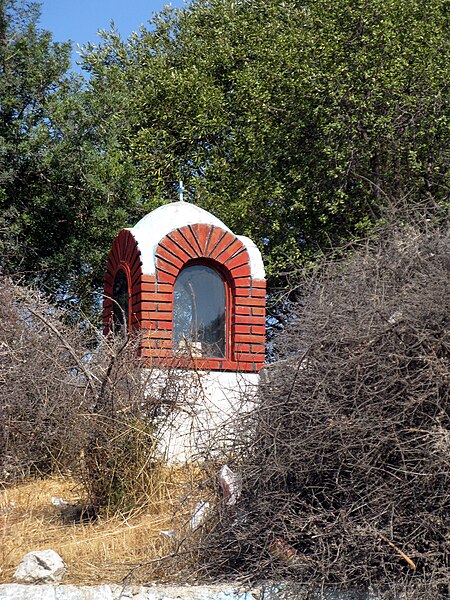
(296, 123)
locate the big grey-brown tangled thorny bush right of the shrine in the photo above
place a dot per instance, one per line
(345, 477)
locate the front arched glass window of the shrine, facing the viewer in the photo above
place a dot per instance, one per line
(199, 312)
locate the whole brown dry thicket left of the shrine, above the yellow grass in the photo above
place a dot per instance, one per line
(74, 401)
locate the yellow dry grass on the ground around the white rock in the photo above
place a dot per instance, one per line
(104, 551)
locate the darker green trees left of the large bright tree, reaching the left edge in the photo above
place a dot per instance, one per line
(65, 189)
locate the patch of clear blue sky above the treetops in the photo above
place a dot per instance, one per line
(80, 20)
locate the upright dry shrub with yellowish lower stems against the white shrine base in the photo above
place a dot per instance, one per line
(123, 447)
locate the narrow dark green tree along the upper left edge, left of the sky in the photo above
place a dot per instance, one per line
(30, 70)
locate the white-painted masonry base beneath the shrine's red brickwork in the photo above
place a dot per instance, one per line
(210, 404)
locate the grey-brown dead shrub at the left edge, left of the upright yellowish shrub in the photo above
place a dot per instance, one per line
(41, 387)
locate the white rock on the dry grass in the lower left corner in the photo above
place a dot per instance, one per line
(40, 566)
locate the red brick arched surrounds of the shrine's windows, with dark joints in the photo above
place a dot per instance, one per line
(151, 296)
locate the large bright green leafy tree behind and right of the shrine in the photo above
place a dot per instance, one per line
(295, 122)
